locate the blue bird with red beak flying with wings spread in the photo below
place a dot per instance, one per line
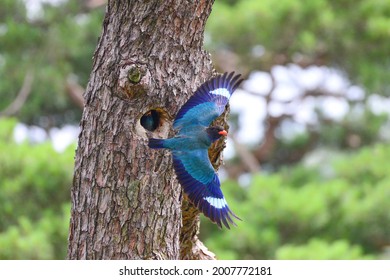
(190, 146)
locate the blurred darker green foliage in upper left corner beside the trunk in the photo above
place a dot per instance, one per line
(53, 46)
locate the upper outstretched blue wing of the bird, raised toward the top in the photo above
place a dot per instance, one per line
(208, 102)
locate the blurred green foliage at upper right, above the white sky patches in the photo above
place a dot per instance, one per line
(351, 35)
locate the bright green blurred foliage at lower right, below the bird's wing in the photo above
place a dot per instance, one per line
(336, 210)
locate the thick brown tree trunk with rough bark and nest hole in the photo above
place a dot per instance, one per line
(126, 201)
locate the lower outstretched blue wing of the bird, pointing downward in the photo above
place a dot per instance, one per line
(201, 184)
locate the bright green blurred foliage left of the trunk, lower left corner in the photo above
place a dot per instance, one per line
(35, 185)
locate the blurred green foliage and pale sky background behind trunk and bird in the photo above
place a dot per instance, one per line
(308, 158)
